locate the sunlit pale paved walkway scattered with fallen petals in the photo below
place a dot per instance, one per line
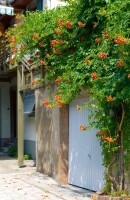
(27, 184)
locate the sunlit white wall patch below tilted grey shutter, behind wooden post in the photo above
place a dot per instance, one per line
(29, 128)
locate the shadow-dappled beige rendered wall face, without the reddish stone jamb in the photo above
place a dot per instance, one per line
(48, 136)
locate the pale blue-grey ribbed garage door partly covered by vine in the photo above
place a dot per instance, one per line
(85, 160)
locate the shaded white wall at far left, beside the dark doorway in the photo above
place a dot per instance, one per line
(5, 109)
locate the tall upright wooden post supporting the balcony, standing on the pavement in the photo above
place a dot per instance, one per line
(20, 117)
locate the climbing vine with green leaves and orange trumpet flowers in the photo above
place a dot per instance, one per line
(85, 45)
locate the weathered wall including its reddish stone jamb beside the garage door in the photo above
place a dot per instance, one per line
(51, 137)
